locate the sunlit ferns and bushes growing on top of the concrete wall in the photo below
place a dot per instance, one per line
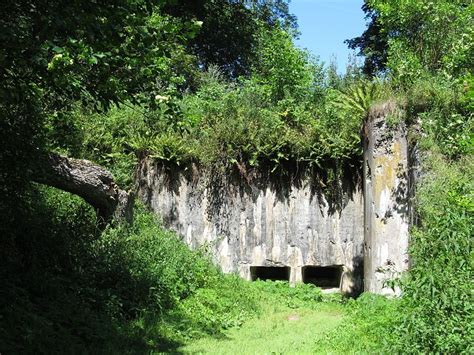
(250, 125)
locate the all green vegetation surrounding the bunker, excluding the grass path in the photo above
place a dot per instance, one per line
(105, 85)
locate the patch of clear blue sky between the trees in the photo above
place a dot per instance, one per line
(325, 24)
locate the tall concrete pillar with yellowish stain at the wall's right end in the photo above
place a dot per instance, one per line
(386, 195)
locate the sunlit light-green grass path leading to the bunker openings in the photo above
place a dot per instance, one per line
(291, 321)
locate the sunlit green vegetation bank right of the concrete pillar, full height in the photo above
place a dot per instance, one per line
(427, 46)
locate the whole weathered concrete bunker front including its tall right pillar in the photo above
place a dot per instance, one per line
(341, 237)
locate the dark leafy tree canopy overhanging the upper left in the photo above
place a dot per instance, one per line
(58, 54)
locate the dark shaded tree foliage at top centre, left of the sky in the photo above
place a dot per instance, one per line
(228, 36)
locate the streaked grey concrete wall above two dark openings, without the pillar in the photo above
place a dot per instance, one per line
(261, 224)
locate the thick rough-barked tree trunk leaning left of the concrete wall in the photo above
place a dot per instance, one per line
(91, 182)
